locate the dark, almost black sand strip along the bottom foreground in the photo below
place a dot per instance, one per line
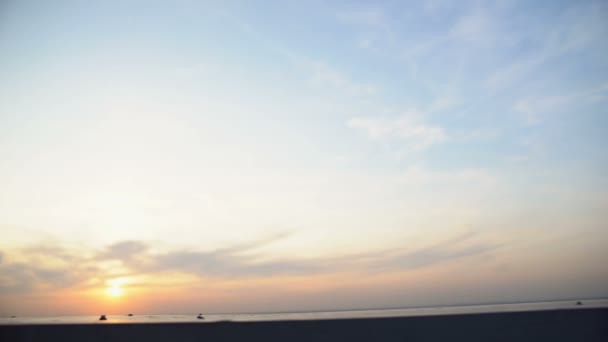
(555, 325)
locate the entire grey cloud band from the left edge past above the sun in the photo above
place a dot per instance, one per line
(222, 264)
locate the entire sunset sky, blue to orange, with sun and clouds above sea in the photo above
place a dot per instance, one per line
(259, 156)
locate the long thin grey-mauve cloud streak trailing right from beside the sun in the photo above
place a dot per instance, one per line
(231, 264)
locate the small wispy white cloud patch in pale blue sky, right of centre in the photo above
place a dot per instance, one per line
(415, 134)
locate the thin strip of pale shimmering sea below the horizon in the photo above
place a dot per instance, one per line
(246, 317)
